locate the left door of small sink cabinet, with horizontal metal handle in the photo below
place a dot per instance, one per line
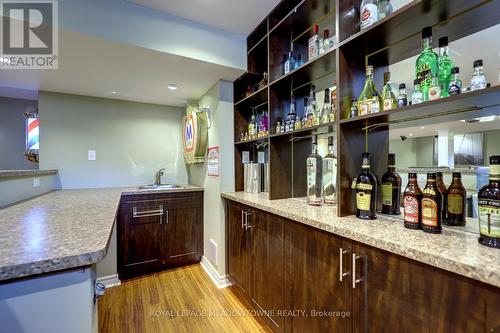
(139, 235)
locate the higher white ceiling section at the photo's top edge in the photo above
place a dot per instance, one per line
(236, 16)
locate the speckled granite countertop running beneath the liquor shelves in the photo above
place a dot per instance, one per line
(454, 250)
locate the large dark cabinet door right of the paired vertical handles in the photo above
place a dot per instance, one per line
(396, 294)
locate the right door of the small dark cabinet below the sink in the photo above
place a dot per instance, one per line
(183, 237)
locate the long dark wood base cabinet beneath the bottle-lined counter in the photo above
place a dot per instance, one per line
(298, 268)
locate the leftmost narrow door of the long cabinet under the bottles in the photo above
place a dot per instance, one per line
(238, 241)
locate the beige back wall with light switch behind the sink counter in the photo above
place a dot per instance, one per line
(132, 141)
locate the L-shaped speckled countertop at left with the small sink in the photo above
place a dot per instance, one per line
(60, 230)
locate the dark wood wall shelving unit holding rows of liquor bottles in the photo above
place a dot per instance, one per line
(390, 40)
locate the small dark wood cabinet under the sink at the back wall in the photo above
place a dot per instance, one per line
(158, 231)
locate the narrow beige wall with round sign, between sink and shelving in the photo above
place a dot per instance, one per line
(219, 99)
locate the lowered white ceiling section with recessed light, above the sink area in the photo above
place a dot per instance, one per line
(95, 67)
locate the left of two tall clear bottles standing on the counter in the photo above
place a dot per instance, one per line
(314, 163)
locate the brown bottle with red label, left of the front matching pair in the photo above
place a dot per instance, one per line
(412, 203)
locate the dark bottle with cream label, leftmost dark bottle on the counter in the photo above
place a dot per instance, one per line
(366, 191)
